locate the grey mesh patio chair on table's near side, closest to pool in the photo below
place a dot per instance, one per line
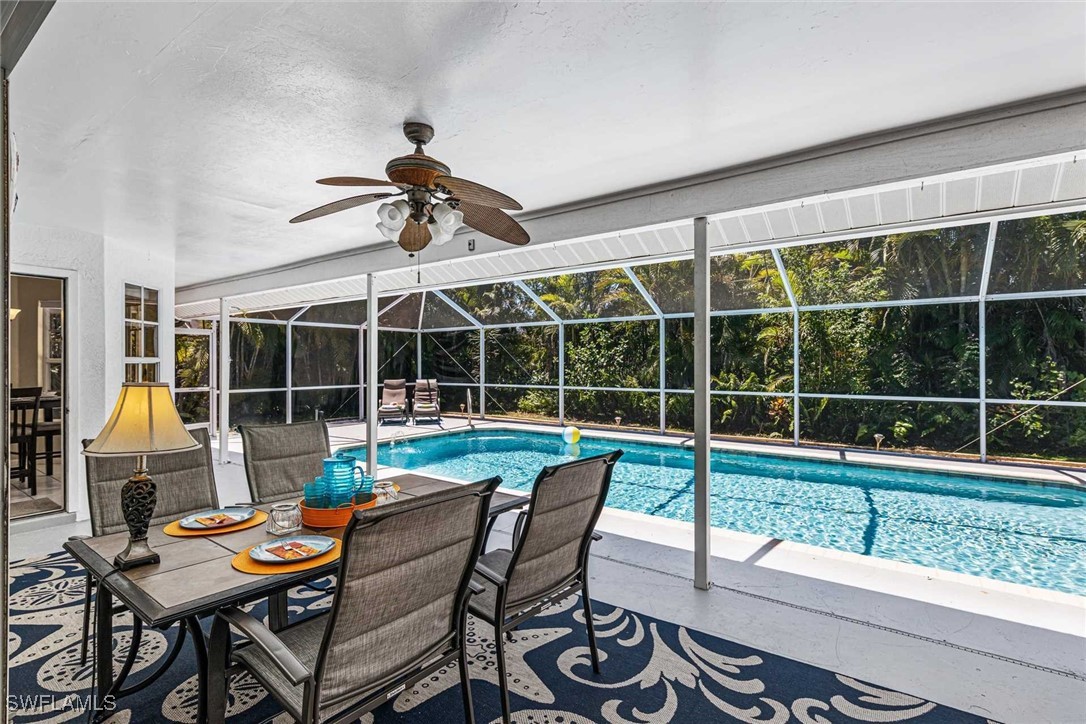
(550, 556)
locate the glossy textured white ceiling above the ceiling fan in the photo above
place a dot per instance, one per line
(205, 125)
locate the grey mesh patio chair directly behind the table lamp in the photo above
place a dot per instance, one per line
(185, 485)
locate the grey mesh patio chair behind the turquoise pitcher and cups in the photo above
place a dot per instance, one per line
(282, 459)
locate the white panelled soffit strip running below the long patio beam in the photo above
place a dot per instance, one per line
(1058, 182)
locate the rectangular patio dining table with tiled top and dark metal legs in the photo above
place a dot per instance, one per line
(195, 579)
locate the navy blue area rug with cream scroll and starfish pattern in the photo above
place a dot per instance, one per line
(653, 671)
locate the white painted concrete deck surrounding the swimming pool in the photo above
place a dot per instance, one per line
(1001, 651)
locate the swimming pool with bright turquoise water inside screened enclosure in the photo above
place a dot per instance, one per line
(1007, 531)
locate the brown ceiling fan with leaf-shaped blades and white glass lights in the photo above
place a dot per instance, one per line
(435, 204)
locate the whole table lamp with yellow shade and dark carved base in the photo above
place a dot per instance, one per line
(145, 422)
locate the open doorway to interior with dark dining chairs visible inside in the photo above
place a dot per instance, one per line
(40, 391)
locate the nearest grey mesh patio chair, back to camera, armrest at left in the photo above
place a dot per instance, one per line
(399, 615)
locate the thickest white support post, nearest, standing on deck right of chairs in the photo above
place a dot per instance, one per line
(702, 410)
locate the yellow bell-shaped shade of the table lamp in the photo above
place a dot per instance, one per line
(145, 422)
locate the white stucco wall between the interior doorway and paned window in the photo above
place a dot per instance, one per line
(97, 270)
